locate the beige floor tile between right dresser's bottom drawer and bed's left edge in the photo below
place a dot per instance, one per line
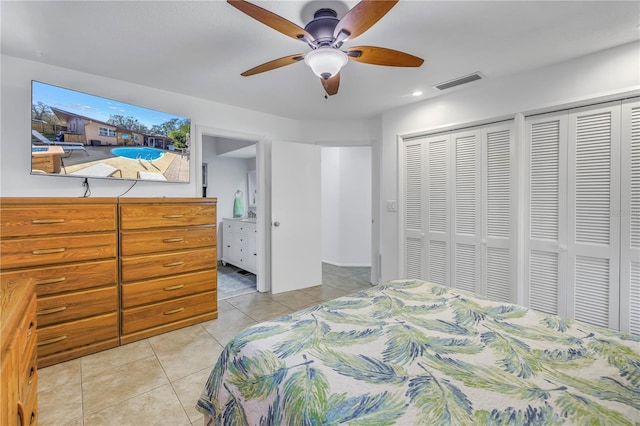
(186, 351)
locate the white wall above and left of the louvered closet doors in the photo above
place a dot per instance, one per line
(604, 75)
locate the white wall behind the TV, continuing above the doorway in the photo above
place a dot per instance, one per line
(16, 75)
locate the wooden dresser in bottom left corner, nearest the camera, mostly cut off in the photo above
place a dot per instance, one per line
(18, 375)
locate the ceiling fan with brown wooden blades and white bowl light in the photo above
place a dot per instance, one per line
(325, 34)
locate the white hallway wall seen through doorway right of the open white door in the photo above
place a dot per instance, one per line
(346, 206)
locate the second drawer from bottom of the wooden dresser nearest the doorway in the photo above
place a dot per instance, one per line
(152, 291)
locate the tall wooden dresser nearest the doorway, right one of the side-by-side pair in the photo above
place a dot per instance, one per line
(168, 264)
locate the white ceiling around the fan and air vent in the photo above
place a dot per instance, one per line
(199, 48)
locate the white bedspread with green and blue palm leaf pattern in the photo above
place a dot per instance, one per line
(410, 352)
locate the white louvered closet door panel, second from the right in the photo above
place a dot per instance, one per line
(594, 232)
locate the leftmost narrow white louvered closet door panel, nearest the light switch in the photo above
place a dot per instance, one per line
(414, 209)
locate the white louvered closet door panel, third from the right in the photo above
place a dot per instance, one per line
(545, 261)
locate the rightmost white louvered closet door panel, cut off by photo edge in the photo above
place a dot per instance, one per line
(630, 218)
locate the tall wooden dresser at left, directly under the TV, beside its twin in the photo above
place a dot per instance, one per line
(69, 246)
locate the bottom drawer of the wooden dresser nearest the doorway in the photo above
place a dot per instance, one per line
(140, 318)
